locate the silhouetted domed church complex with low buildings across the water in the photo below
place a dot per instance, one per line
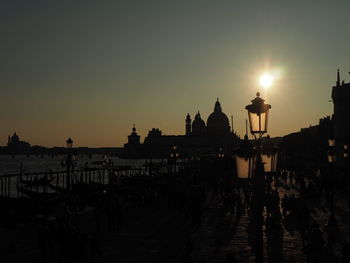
(200, 138)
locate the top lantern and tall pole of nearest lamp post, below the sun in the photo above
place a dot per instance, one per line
(258, 113)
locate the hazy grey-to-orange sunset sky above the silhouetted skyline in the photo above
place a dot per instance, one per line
(92, 69)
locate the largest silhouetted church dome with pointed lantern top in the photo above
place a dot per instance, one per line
(218, 123)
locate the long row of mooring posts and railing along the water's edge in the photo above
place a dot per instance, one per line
(51, 181)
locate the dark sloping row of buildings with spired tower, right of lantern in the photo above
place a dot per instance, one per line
(311, 144)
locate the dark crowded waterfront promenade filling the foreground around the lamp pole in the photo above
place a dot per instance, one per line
(183, 219)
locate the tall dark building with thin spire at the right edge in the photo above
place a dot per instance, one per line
(341, 103)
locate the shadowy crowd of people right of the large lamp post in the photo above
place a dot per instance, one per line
(302, 193)
